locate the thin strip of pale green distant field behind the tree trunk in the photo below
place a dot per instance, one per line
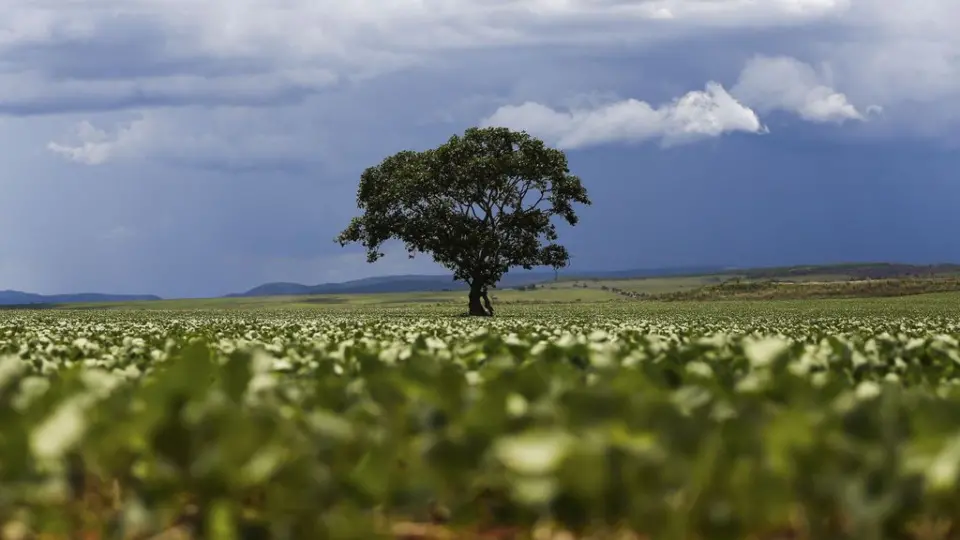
(787, 283)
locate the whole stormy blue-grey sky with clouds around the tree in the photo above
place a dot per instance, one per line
(196, 148)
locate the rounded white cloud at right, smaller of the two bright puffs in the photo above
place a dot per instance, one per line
(786, 84)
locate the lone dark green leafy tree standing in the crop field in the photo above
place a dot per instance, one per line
(480, 204)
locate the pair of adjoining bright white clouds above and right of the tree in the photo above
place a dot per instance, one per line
(766, 84)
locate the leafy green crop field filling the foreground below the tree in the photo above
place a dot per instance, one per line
(724, 420)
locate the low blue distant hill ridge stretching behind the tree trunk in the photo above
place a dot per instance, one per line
(434, 283)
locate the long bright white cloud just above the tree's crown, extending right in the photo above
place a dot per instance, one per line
(697, 115)
